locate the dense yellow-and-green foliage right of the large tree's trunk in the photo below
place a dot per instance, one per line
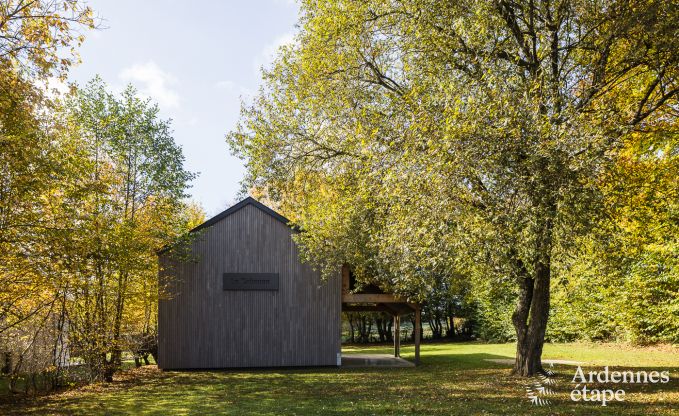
(624, 282)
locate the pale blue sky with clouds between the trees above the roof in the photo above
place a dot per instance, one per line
(197, 60)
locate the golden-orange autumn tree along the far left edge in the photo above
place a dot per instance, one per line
(35, 163)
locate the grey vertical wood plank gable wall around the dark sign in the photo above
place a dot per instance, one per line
(202, 326)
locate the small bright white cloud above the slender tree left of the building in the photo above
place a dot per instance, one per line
(153, 82)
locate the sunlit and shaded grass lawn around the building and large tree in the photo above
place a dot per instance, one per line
(453, 379)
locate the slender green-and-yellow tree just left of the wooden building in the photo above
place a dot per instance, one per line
(131, 206)
